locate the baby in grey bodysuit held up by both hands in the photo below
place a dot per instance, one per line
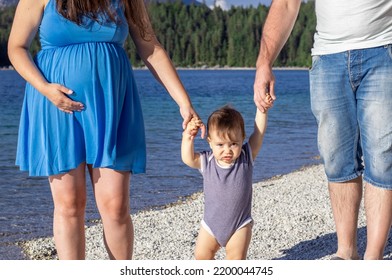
(227, 180)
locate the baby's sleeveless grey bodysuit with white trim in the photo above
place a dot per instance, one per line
(227, 194)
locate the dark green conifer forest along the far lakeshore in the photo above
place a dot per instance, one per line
(195, 35)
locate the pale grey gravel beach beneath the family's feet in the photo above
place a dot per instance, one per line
(293, 221)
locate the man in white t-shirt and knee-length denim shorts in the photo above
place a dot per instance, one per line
(351, 99)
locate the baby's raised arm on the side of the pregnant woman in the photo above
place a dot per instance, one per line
(188, 155)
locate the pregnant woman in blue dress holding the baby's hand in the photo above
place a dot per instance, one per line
(81, 110)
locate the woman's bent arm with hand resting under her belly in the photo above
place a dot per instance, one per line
(27, 19)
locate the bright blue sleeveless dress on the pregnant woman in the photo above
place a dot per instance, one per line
(90, 60)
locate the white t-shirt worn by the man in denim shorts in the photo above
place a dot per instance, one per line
(352, 24)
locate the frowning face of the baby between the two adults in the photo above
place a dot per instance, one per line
(225, 150)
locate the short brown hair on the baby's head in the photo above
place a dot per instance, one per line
(226, 121)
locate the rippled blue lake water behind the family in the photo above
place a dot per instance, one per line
(290, 143)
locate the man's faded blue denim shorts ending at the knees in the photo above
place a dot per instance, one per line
(351, 99)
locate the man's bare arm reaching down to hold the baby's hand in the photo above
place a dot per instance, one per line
(277, 28)
